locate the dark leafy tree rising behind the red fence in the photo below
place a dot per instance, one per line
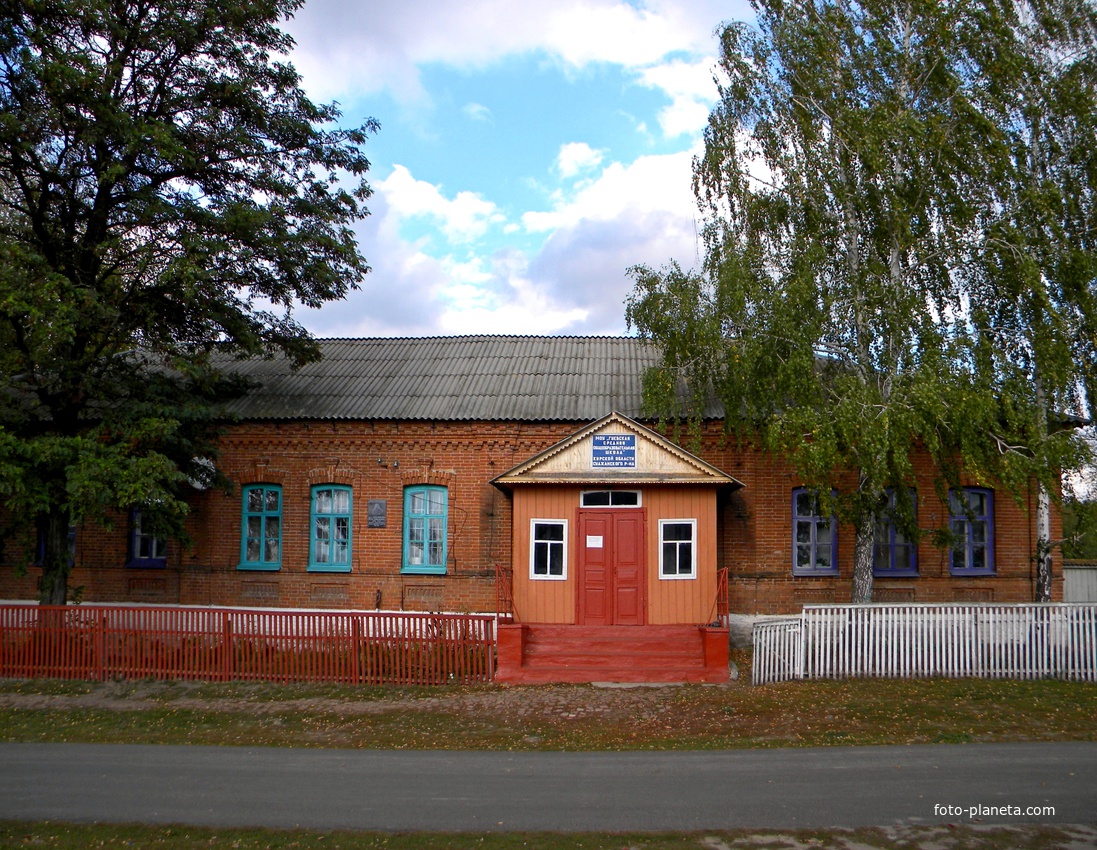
(168, 194)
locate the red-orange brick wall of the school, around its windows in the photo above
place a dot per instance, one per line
(379, 460)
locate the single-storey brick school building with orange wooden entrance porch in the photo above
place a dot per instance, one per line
(391, 477)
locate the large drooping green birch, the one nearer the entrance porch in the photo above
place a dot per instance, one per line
(851, 184)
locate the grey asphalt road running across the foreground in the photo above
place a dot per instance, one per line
(378, 790)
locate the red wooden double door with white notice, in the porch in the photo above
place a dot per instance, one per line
(612, 561)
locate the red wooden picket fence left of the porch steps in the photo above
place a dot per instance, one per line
(101, 642)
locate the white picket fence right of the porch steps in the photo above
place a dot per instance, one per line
(911, 641)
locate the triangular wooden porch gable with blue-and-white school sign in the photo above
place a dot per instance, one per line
(615, 450)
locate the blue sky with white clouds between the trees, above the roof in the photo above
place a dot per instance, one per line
(529, 154)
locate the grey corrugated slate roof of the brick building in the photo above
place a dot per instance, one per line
(490, 378)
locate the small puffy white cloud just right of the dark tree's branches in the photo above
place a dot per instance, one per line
(463, 219)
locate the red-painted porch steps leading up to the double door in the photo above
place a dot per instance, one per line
(533, 654)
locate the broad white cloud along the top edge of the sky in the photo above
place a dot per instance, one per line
(344, 52)
